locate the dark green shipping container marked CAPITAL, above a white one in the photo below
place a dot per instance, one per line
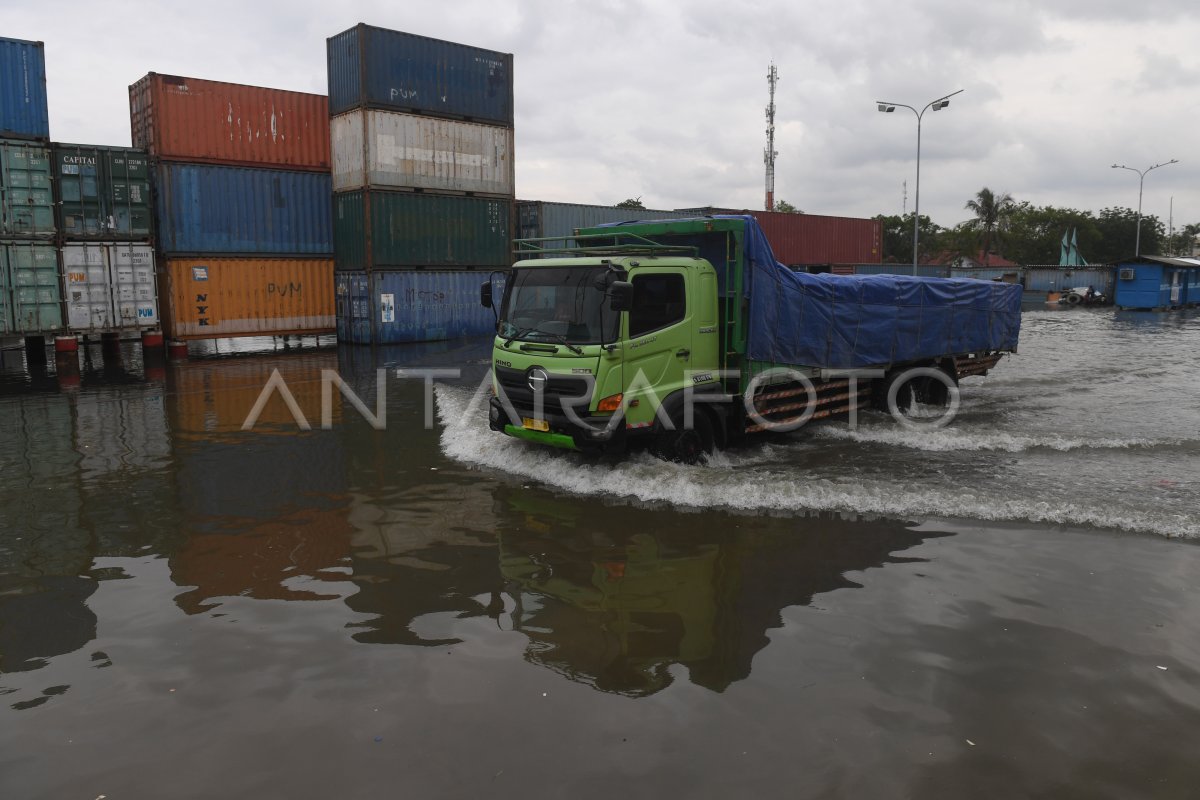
(103, 193)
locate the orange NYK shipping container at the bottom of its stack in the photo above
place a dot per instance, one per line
(217, 298)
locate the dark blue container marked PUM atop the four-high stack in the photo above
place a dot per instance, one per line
(404, 73)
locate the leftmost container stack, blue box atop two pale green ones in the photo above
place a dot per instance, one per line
(31, 296)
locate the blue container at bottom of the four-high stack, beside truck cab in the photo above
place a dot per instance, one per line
(415, 306)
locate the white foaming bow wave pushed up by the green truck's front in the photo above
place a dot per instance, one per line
(751, 480)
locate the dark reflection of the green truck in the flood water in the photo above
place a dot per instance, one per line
(616, 610)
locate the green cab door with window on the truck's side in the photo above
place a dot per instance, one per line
(658, 334)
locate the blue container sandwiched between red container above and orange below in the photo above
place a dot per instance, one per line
(205, 209)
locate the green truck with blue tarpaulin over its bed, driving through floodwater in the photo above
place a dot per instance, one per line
(687, 335)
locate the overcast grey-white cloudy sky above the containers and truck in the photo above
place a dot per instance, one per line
(665, 100)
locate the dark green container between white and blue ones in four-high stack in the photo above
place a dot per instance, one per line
(411, 230)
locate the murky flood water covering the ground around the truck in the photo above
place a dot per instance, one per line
(1007, 607)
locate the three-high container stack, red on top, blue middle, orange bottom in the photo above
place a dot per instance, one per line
(243, 206)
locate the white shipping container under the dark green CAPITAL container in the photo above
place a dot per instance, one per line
(110, 286)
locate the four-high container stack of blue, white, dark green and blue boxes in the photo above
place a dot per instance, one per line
(422, 137)
